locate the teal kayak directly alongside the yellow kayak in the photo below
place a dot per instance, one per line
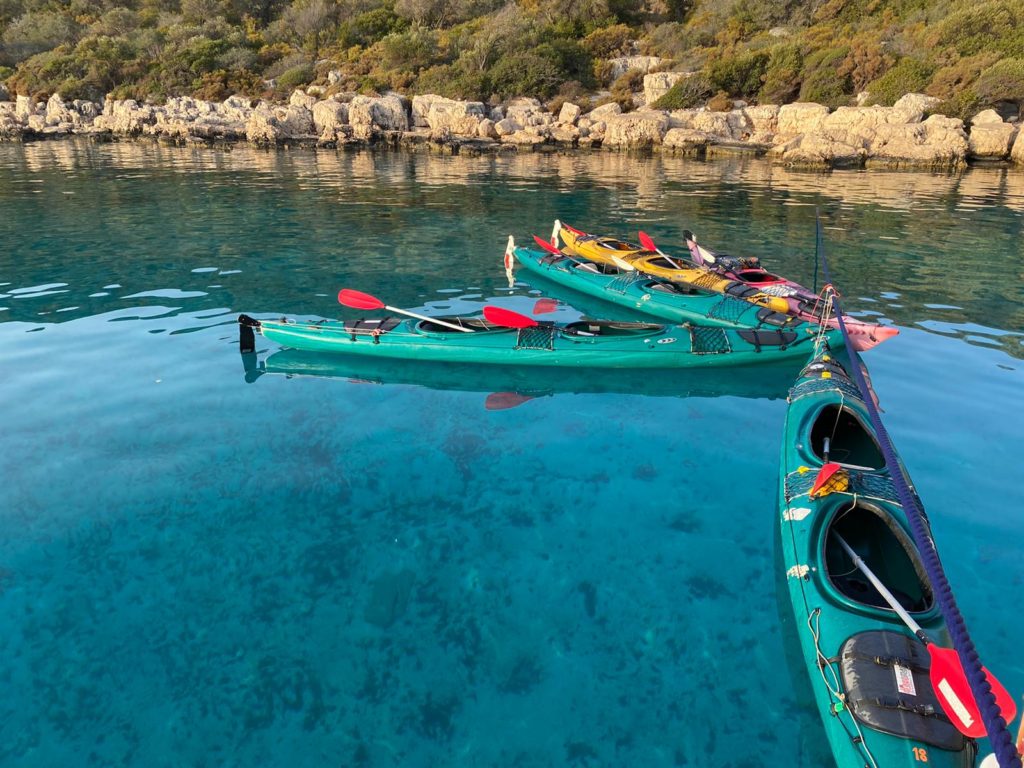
(652, 296)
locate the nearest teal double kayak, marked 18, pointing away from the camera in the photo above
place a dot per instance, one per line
(869, 674)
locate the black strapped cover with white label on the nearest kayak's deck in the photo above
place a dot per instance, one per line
(885, 675)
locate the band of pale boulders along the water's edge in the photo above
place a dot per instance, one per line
(799, 135)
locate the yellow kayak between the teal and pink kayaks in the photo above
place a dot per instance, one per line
(607, 250)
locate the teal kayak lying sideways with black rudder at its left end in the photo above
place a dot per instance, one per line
(591, 345)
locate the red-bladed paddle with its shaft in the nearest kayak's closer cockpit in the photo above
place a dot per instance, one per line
(947, 672)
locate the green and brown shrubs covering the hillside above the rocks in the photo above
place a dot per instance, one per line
(969, 53)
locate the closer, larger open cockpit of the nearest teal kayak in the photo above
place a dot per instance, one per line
(886, 549)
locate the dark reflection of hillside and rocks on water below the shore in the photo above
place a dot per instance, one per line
(940, 251)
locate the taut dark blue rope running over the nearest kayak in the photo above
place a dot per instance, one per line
(1003, 746)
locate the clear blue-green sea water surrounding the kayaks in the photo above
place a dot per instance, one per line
(312, 571)
